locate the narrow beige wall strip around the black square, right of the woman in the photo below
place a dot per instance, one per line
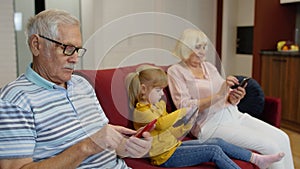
(236, 13)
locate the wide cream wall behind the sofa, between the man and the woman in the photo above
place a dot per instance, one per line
(125, 37)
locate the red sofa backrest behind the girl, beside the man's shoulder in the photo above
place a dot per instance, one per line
(109, 85)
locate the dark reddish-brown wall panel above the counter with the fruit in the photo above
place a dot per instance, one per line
(272, 22)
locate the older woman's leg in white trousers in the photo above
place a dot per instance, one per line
(251, 133)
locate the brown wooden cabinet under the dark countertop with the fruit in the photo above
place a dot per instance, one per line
(280, 77)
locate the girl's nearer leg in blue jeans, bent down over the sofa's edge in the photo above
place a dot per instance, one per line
(190, 155)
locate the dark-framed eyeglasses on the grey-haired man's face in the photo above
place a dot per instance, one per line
(68, 49)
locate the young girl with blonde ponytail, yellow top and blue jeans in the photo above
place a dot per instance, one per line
(145, 89)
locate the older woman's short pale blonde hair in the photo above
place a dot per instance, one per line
(188, 41)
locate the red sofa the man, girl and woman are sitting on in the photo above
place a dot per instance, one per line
(110, 90)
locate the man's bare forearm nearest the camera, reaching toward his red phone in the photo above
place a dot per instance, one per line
(107, 137)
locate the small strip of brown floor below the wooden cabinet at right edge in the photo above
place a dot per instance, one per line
(295, 144)
